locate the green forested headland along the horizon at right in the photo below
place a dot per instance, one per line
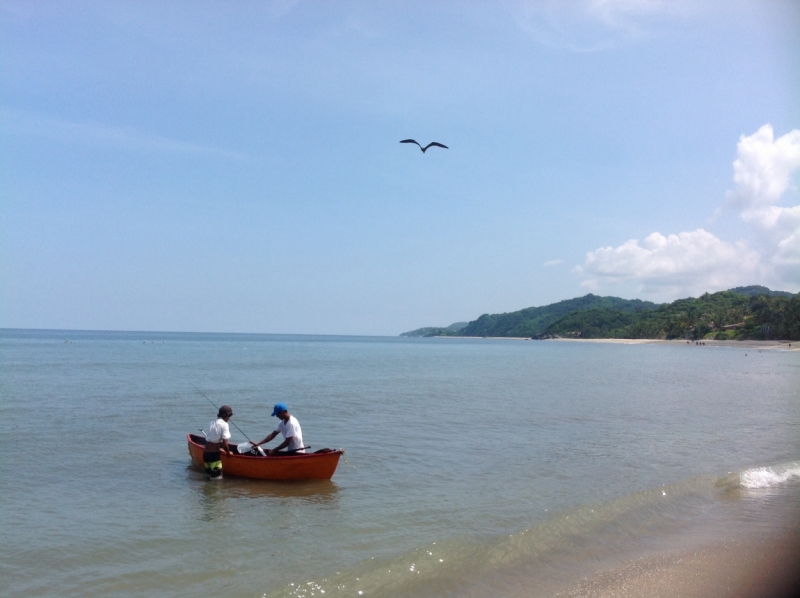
(742, 313)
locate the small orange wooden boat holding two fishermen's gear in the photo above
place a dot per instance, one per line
(303, 466)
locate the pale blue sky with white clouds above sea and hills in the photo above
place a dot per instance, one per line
(235, 167)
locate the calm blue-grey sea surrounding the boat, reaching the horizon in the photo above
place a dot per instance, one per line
(477, 467)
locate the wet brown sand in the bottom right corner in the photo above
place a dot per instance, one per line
(766, 568)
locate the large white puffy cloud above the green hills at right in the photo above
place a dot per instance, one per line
(698, 261)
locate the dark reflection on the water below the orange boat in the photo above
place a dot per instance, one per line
(216, 496)
